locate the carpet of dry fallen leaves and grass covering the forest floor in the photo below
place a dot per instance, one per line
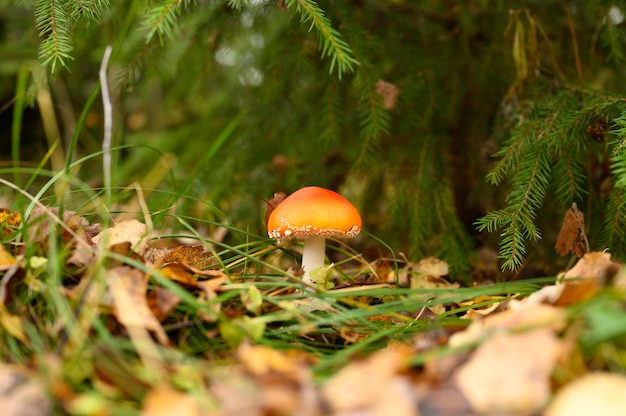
(497, 353)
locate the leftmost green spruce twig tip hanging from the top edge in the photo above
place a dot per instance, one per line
(53, 24)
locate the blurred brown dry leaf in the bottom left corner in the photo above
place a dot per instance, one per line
(21, 394)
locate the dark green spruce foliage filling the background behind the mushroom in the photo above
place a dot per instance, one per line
(502, 90)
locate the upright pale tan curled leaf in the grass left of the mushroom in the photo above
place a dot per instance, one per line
(128, 288)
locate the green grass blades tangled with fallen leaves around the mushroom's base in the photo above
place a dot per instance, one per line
(60, 319)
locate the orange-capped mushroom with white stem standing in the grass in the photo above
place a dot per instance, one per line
(312, 214)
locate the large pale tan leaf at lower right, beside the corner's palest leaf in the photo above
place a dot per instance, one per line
(510, 373)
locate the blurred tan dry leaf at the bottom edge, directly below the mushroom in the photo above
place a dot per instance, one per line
(373, 386)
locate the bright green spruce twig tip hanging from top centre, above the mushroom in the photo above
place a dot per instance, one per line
(332, 43)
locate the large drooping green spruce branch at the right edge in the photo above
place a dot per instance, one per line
(545, 155)
